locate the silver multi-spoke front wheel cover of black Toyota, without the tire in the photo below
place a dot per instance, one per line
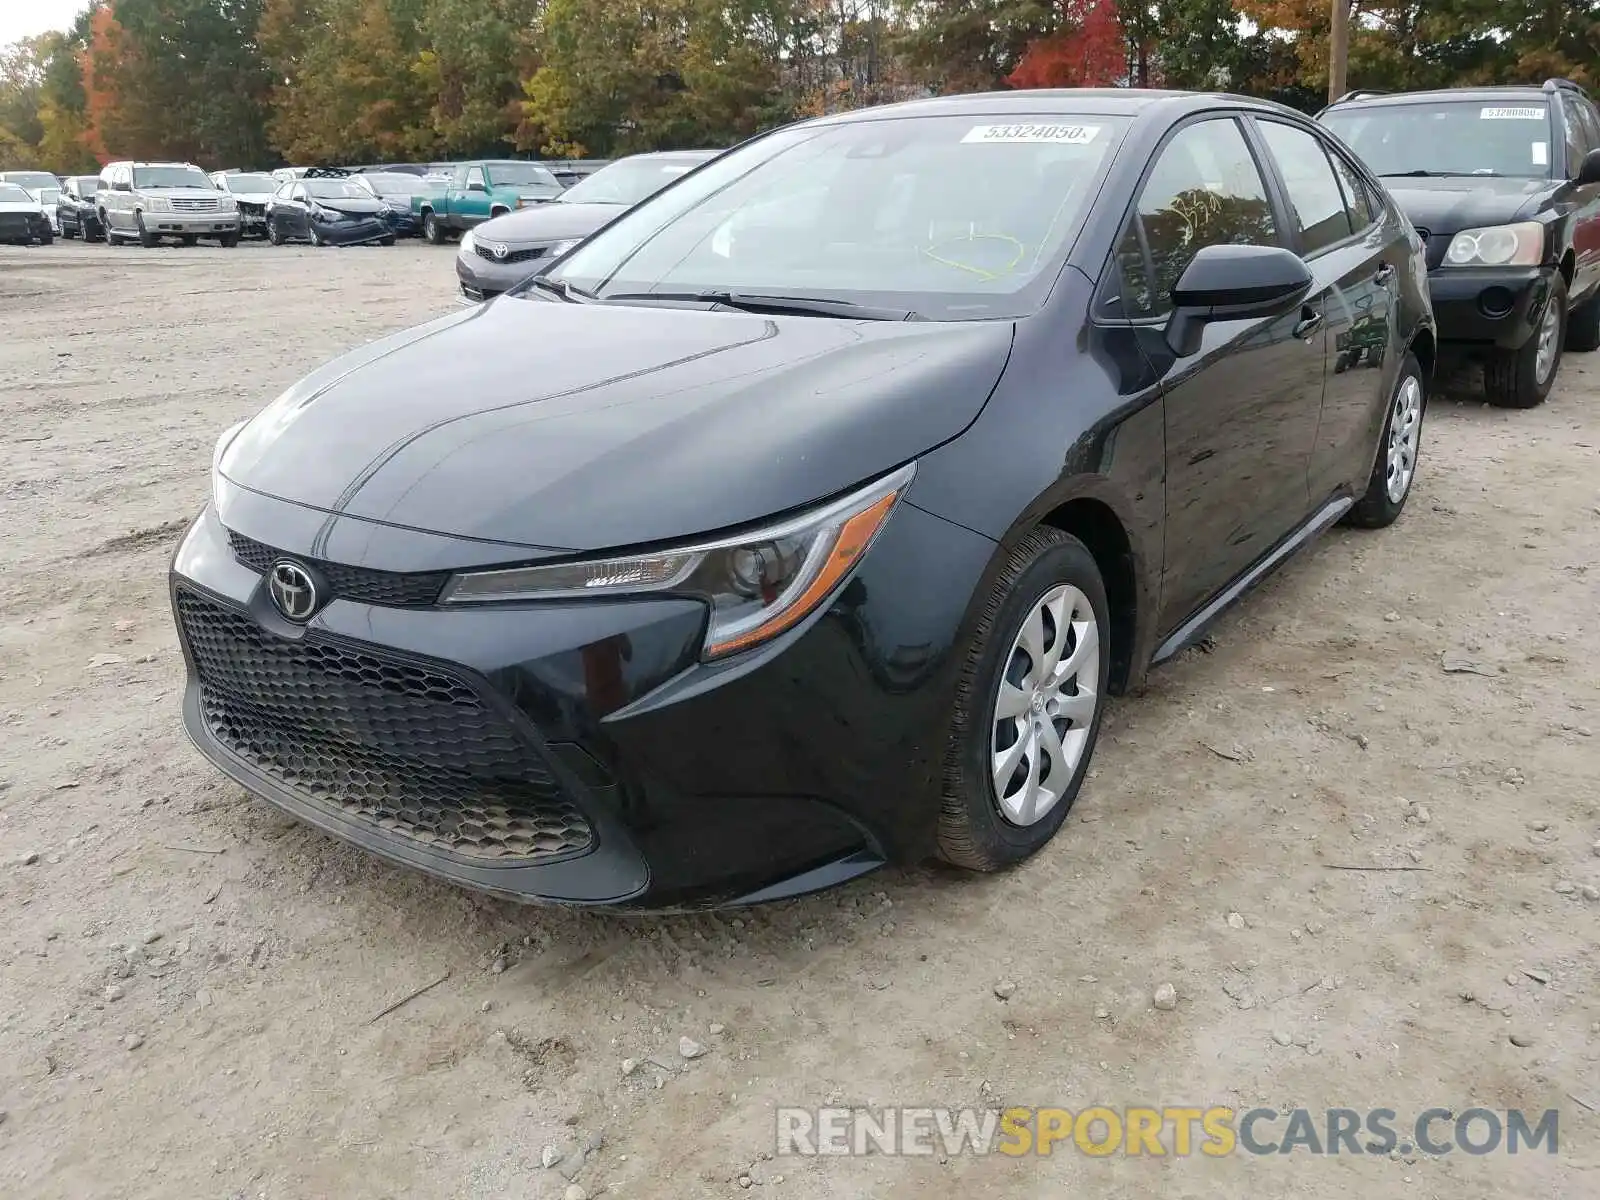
(1046, 705)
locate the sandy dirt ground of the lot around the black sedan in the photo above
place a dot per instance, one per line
(191, 985)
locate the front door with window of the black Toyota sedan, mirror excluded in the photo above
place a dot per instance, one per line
(1242, 410)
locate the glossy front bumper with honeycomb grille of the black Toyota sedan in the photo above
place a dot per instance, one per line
(668, 783)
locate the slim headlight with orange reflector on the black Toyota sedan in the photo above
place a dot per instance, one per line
(758, 585)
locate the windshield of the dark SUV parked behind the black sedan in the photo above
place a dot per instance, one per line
(1508, 138)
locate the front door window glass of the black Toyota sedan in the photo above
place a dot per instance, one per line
(1204, 191)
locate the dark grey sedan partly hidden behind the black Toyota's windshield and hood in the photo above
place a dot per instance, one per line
(503, 252)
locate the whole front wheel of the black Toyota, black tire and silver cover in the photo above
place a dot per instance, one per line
(1028, 706)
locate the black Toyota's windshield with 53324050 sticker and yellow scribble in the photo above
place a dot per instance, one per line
(950, 217)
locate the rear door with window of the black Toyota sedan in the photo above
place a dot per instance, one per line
(1356, 263)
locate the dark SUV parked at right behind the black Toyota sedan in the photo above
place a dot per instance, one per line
(1505, 188)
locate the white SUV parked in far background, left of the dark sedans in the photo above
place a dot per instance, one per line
(156, 201)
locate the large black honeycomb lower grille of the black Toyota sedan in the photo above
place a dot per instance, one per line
(406, 748)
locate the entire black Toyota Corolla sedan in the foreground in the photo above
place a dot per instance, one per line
(806, 518)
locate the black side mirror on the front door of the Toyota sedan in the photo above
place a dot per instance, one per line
(1230, 284)
